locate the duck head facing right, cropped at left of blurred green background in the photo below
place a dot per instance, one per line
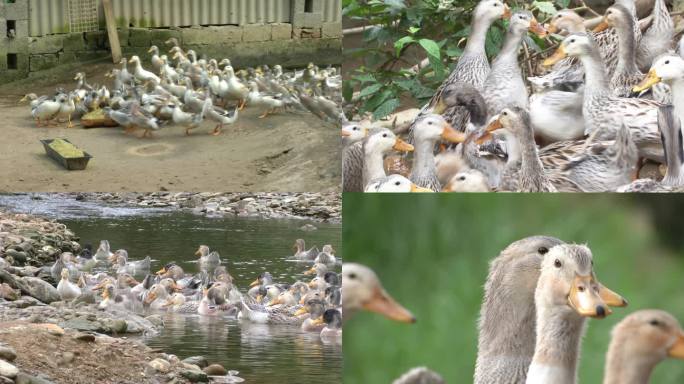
(362, 290)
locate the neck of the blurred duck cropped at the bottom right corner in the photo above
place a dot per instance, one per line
(622, 367)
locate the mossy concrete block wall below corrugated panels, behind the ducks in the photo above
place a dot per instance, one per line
(307, 38)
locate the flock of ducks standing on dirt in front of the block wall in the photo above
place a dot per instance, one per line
(186, 91)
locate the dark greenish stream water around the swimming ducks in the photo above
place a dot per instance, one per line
(262, 353)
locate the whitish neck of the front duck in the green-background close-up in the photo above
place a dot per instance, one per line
(559, 335)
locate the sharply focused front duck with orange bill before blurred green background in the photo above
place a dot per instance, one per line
(567, 293)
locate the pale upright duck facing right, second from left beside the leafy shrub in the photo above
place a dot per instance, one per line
(504, 85)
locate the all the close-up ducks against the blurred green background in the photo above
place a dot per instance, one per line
(539, 293)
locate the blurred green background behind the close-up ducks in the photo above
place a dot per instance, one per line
(431, 251)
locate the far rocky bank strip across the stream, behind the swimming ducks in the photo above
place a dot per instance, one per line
(324, 207)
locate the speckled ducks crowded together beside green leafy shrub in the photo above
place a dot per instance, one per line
(612, 99)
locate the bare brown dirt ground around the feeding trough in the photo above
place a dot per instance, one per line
(285, 152)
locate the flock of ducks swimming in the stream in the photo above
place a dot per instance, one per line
(313, 305)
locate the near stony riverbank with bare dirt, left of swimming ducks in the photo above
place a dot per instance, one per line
(45, 340)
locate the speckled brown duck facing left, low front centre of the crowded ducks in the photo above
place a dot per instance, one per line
(529, 176)
